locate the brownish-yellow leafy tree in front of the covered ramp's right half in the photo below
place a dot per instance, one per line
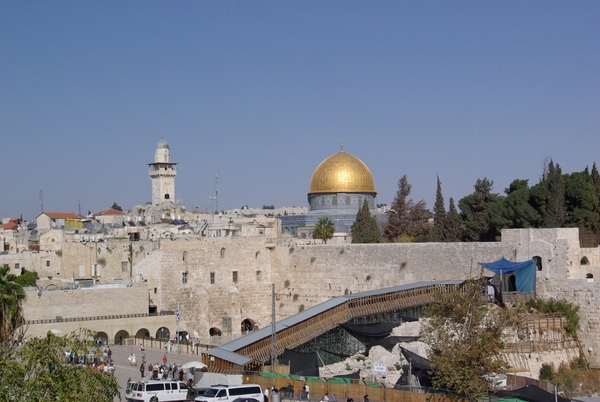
(465, 338)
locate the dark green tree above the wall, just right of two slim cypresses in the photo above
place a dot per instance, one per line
(481, 212)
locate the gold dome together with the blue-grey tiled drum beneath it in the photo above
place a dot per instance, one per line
(341, 182)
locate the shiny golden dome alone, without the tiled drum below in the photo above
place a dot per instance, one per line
(342, 173)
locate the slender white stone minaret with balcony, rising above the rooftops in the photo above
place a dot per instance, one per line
(162, 173)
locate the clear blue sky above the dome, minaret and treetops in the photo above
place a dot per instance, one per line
(265, 90)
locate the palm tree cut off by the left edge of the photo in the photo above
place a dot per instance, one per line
(12, 296)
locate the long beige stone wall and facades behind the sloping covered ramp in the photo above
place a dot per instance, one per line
(224, 283)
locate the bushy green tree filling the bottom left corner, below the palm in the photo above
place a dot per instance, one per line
(37, 371)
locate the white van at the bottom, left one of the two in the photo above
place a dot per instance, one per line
(156, 391)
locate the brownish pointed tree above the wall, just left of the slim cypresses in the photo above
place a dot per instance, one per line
(406, 219)
